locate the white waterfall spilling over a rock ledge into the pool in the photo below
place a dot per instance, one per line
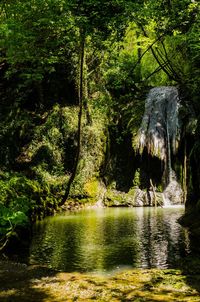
(159, 134)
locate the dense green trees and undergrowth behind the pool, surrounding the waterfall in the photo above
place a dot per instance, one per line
(74, 79)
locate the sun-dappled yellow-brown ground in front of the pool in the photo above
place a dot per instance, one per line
(19, 283)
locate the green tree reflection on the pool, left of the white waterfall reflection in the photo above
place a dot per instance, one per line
(99, 241)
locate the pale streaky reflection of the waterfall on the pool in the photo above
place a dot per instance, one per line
(163, 239)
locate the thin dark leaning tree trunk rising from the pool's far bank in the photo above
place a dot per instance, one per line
(79, 131)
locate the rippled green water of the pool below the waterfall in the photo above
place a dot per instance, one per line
(106, 240)
